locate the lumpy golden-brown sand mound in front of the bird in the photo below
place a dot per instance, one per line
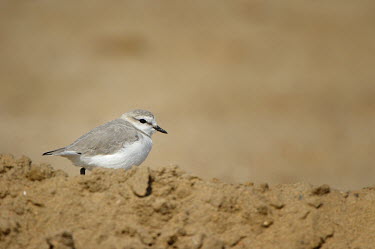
(166, 208)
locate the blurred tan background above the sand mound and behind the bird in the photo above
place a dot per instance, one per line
(260, 91)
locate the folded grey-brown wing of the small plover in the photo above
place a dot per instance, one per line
(105, 139)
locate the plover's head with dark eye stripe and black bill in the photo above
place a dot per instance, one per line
(143, 120)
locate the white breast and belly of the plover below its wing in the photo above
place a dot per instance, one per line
(131, 154)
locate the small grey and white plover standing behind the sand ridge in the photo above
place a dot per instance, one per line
(118, 144)
